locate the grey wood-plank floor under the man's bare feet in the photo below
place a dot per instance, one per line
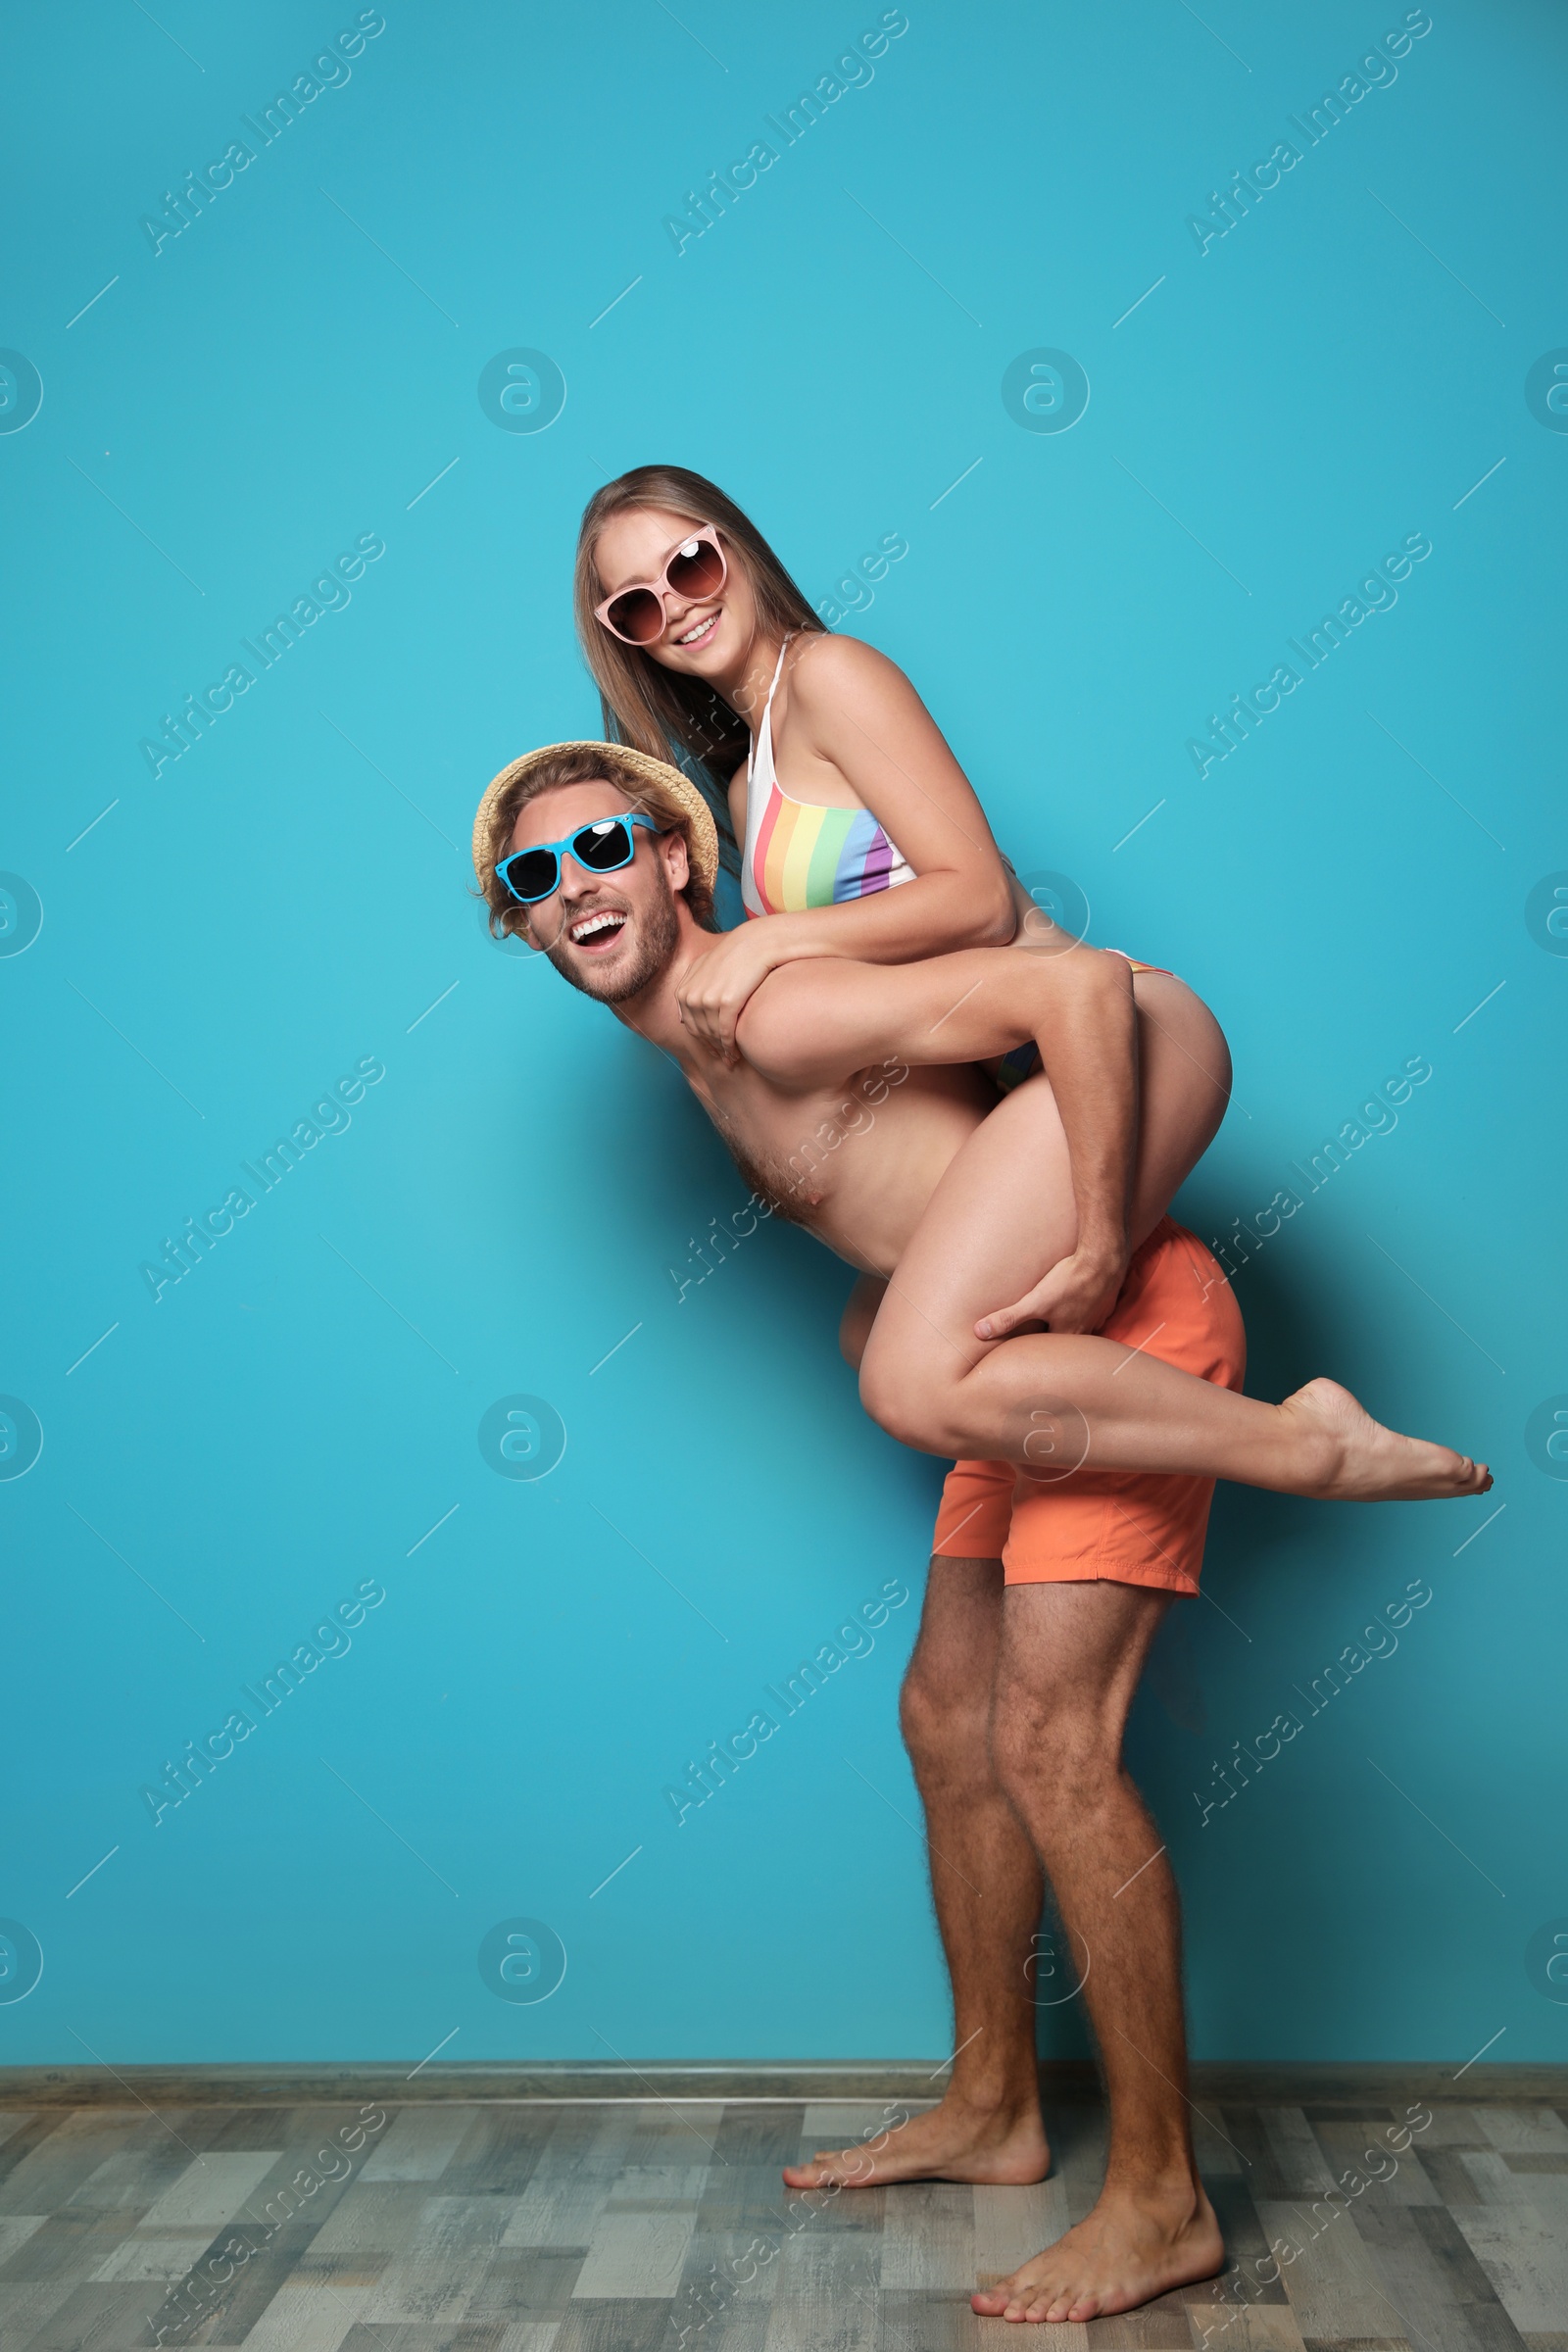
(617, 2226)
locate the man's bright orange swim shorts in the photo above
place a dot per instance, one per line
(1113, 1525)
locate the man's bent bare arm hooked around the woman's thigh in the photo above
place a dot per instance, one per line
(815, 1024)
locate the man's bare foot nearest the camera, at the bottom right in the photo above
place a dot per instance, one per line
(1127, 2252)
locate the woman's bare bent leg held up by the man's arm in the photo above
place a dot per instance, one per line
(1000, 1217)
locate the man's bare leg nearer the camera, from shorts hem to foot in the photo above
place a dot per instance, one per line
(1068, 1669)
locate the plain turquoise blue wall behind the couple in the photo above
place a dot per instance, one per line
(286, 902)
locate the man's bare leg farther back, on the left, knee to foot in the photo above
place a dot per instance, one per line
(989, 1892)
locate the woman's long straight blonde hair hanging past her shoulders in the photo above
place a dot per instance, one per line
(664, 711)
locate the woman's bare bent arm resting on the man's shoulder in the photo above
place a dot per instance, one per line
(859, 723)
